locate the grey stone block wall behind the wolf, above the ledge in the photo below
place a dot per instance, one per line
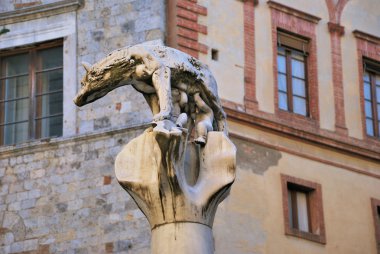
(104, 26)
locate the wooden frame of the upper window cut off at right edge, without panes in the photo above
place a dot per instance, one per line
(372, 82)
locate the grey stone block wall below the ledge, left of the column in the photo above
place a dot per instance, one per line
(62, 197)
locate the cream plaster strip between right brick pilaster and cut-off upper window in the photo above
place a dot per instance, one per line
(363, 16)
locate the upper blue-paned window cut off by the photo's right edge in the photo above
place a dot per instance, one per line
(371, 86)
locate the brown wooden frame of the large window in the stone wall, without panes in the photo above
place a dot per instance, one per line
(31, 50)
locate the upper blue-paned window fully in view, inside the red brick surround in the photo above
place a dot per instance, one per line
(292, 73)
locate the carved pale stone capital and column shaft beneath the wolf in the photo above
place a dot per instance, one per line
(178, 186)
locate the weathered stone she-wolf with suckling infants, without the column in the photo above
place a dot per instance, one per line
(158, 72)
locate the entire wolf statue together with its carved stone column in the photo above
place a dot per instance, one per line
(176, 183)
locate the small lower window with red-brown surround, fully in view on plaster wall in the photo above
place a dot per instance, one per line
(303, 212)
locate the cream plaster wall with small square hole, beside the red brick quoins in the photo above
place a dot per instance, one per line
(225, 33)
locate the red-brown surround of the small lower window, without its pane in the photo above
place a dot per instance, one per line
(315, 208)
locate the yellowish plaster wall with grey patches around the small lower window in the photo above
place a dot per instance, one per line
(258, 214)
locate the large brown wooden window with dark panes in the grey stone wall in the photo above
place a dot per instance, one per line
(31, 94)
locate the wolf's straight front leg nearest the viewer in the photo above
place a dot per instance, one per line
(161, 83)
